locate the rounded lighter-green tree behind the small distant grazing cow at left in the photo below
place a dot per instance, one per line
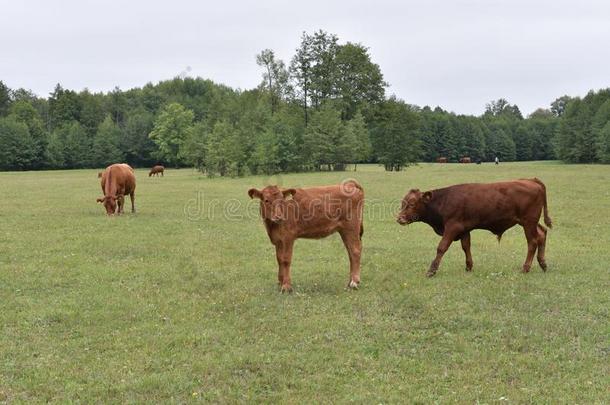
(171, 127)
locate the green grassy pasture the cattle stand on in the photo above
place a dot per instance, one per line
(179, 302)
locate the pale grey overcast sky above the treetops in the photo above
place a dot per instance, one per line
(455, 54)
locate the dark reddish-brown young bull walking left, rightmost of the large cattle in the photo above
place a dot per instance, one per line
(456, 210)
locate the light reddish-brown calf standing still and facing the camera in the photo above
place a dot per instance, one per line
(312, 213)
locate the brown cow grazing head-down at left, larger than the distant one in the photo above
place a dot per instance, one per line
(117, 181)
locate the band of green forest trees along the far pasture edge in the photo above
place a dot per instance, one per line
(327, 109)
